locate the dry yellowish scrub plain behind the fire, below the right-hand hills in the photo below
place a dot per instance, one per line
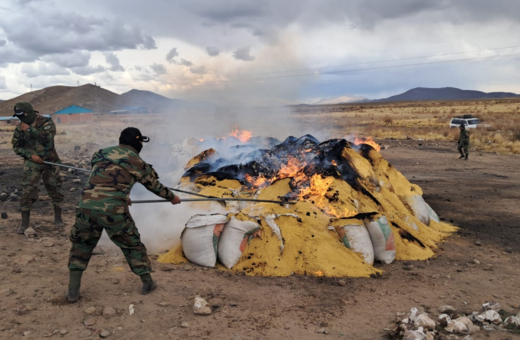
(422, 120)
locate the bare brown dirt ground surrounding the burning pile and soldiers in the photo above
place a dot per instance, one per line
(480, 195)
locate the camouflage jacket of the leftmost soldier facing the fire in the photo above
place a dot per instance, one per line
(37, 140)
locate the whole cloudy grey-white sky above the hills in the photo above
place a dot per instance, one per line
(260, 52)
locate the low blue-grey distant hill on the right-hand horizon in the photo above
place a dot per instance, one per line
(447, 93)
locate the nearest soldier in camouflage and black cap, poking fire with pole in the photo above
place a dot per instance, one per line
(104, 205)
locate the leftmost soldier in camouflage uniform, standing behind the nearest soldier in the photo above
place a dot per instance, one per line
(33, 139)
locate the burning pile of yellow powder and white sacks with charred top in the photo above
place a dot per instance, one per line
(352, 208)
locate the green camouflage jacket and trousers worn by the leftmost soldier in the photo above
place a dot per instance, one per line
(38, 140)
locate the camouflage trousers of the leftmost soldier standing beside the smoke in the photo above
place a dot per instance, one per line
(32, 173)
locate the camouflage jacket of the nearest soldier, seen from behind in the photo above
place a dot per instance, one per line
(114, 172)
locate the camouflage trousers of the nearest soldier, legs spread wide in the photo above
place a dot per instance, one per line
(121, 229)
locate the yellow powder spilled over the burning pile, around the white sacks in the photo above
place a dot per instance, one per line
(309, 247)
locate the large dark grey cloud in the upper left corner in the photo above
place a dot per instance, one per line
(60, 32)
